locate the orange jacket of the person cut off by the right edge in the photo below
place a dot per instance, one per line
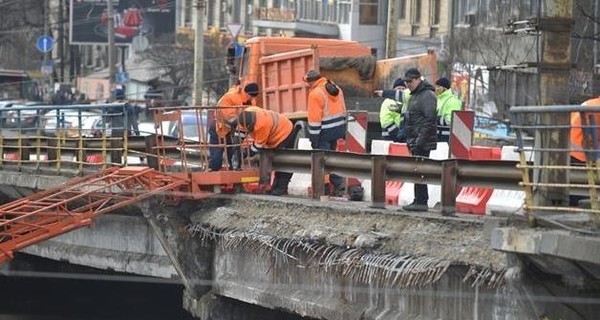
(577, 130)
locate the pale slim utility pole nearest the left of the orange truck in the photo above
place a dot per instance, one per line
(198, 53)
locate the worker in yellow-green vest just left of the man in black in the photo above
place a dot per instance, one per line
(392, 111)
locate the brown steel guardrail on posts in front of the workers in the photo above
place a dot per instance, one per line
(379, 168)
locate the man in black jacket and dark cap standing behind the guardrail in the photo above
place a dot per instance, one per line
(421, 128)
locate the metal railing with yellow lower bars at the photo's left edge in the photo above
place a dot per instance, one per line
(64, 137)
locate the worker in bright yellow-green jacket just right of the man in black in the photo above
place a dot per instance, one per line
(447, 102)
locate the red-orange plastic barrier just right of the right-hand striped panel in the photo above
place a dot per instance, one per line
(473, 199)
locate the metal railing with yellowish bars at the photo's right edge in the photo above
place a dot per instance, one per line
(562, 172)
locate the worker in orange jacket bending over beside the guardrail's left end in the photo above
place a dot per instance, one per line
(269, 130)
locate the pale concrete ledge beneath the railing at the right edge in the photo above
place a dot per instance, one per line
(557, 243)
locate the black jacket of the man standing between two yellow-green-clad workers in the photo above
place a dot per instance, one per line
(421, 124)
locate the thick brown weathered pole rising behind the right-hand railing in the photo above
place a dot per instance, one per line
(554, 69)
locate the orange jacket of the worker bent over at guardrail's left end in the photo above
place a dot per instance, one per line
(267, 128)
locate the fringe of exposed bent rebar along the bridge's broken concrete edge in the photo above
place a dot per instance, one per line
(359, 264)
